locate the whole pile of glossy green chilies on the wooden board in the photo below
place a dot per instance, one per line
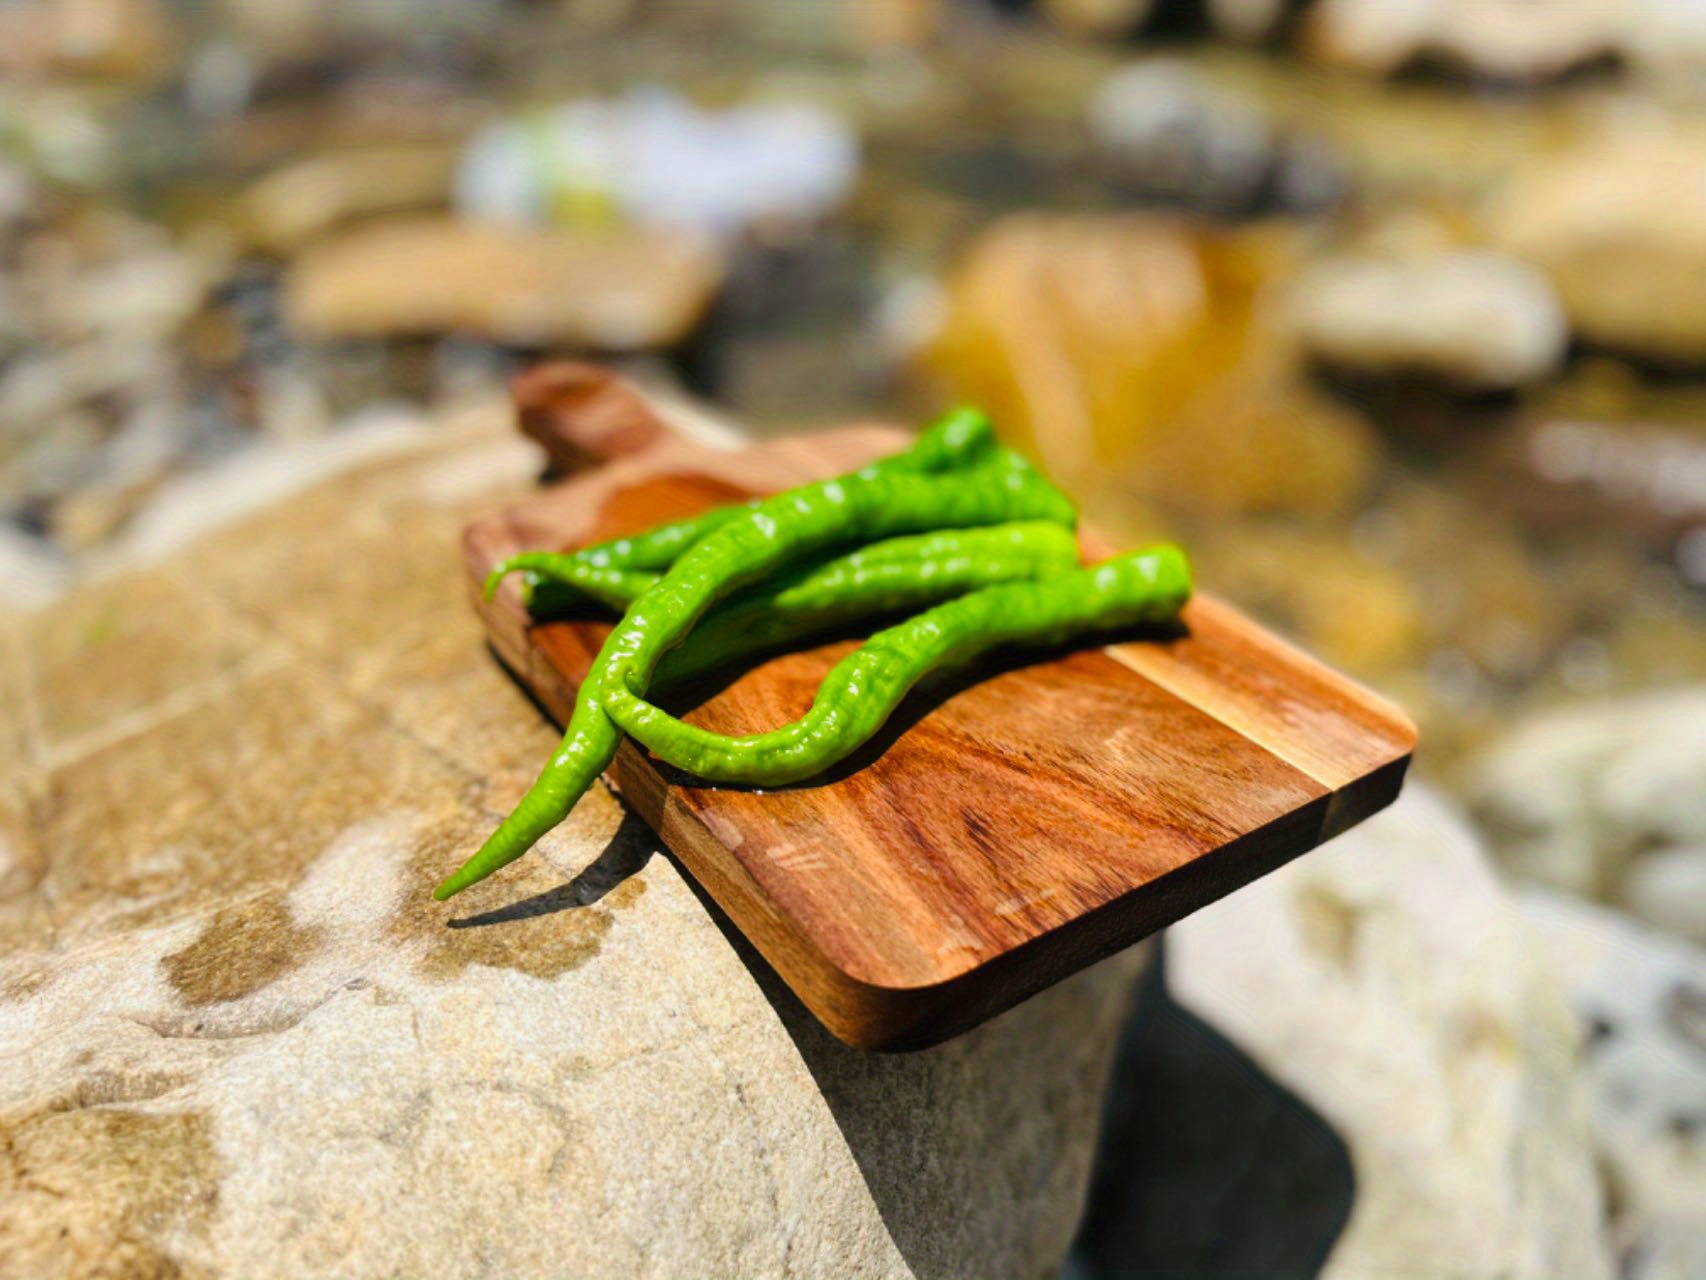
(955, 527)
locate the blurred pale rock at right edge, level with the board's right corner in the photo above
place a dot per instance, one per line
(1579, 796)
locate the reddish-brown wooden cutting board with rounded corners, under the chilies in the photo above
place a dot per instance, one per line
(1011, 827)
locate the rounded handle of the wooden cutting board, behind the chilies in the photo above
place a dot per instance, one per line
(584, 416)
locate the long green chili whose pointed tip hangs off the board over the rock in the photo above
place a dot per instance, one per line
(757, 542)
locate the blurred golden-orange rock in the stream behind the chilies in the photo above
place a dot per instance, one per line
(1135, 351)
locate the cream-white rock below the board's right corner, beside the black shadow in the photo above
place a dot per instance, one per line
(1390, 982)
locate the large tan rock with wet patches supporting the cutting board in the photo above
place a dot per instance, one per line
(238, 1037)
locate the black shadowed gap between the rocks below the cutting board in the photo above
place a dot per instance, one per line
(1207, 1167)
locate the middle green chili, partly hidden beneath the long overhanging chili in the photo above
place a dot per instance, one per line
(885, 578)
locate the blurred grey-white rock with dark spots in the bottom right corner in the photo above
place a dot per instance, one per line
(1645, 999)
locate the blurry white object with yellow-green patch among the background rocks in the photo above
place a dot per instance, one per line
(656, 160)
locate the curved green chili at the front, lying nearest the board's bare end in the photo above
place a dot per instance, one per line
(859, 695)
